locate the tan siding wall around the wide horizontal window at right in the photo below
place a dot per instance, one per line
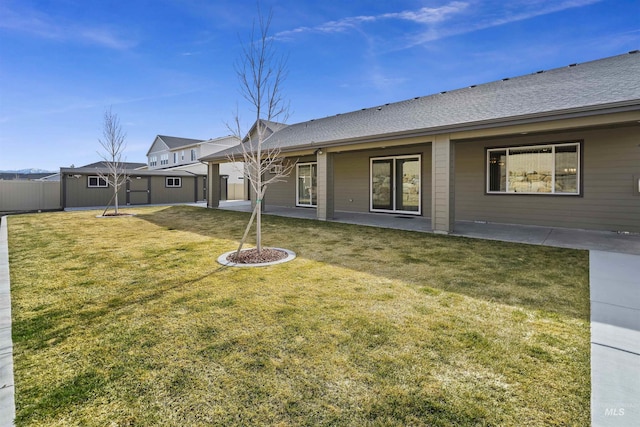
(610, 198)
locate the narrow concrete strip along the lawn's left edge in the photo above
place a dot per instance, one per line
(7, 404)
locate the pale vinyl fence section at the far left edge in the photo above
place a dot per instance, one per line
(29, 196)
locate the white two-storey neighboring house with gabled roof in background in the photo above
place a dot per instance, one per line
(183, 154)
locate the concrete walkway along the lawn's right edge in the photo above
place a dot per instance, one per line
(615, 338)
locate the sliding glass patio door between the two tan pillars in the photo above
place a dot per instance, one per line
(396, 184)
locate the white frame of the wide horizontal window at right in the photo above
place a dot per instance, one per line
(551, 146)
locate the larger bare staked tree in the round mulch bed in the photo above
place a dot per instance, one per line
(261, 73)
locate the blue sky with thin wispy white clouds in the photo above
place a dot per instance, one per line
(166, 66)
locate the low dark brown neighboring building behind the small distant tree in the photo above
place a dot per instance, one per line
(83, 187)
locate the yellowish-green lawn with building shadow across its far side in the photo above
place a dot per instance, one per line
(131, 322)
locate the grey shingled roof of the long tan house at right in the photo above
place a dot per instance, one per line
(585, 88)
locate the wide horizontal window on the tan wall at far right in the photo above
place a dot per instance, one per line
(538, 169)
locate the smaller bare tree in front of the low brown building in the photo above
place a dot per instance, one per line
(113, 146)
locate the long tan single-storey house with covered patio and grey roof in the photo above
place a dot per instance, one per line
(552, 148)
